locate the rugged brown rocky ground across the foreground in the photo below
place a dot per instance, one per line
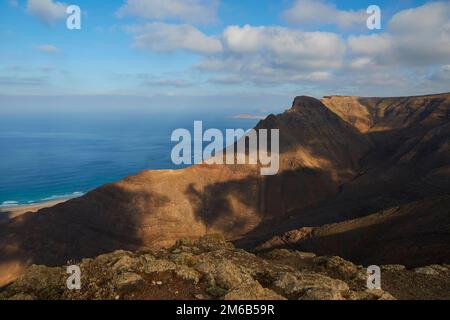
(211, 268)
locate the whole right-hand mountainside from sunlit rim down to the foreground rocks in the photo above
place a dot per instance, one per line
(396, 209)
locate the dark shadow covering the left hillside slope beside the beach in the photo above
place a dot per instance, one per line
(99, 222)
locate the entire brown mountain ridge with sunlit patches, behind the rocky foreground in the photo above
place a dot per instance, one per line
(332, 168)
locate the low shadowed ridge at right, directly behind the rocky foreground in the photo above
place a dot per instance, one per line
(408, 237)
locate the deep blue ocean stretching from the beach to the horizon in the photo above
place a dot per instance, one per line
(51, 156)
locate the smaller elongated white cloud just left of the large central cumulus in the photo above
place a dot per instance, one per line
(162, 37)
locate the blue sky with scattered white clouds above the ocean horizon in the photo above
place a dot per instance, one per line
(220, 48)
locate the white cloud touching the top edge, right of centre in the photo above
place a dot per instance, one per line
(319, 13)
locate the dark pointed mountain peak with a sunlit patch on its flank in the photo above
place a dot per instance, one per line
(318, 153)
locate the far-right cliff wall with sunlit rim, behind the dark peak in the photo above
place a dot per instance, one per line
(410, 157)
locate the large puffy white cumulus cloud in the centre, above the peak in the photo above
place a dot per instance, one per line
(268, 55)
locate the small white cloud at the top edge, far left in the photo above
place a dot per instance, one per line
(46, 10)
